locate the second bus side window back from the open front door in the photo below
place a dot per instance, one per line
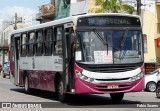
(48, 41)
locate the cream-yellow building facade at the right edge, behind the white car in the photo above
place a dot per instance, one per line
(151, 28)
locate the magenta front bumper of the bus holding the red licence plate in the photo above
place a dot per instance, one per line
(83, 87)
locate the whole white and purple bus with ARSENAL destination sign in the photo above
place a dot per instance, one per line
(84, 54)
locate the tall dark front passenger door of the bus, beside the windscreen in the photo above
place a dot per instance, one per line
(67, 63)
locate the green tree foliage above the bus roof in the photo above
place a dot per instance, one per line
(111, 6)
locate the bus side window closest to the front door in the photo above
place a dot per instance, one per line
(58, 40)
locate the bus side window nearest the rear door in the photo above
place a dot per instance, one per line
(23, 45)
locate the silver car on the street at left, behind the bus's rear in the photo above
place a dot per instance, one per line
(6, 69)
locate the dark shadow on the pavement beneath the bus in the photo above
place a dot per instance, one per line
(86, 100)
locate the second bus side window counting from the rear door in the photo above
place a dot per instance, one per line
(31, 43)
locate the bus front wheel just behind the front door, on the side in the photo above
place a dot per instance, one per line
(60, 91)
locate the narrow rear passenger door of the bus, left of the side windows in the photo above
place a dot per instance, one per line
(16, 56)
